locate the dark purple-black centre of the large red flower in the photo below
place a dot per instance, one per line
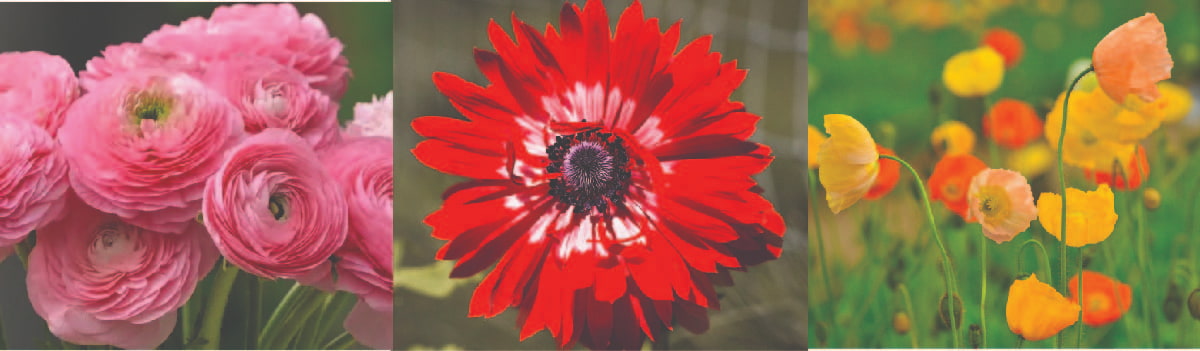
(593, 168)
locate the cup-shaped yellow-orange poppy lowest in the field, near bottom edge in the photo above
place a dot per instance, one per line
(1036, 312)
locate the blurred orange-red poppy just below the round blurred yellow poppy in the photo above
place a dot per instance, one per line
(1012, 124)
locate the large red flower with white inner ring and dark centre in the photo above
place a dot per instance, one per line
(610, 180)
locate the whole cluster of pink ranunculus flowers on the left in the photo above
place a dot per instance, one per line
(218, 138)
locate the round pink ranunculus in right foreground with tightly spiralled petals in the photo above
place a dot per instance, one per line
(274, 211)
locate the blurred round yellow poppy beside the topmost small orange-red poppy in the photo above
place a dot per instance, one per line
(973, 74)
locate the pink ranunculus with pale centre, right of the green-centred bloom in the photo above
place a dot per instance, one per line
(273, 96)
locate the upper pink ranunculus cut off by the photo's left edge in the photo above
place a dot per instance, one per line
(38, 87)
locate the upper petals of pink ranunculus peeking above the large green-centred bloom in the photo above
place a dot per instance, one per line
(133, 57)
